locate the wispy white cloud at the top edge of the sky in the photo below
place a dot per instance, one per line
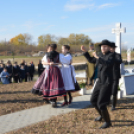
(76, 5)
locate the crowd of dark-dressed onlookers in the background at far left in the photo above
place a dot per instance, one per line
(16, 73)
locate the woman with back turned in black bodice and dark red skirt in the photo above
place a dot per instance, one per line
(52, 85)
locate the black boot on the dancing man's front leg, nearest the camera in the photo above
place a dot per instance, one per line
(106, 118)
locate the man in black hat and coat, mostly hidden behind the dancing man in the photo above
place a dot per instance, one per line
(116, 74)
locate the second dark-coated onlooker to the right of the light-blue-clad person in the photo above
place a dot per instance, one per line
(16, 70)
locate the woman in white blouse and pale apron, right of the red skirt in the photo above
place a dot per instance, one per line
(68, 73)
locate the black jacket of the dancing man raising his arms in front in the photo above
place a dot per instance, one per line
(105, 65)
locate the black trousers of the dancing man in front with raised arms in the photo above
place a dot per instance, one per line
(101, 95)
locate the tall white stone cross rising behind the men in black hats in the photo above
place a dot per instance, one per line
(118, 30)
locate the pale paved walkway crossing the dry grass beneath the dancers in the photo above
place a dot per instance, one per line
(31, 116)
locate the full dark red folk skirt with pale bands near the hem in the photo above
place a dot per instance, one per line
(50, 84)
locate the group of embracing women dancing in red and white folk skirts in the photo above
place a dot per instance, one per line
(55, 81)
